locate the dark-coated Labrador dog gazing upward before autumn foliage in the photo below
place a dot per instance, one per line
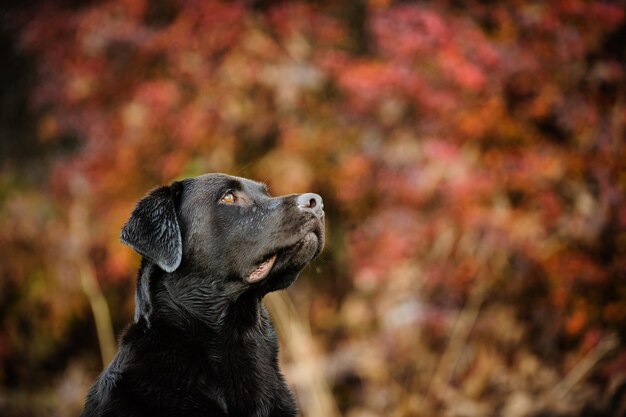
(201, 343)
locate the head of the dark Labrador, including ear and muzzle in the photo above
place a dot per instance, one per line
(227, 228)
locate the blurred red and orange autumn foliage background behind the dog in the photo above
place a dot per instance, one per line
(471, 158)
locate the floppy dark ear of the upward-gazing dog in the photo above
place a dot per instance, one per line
(153, 230)
